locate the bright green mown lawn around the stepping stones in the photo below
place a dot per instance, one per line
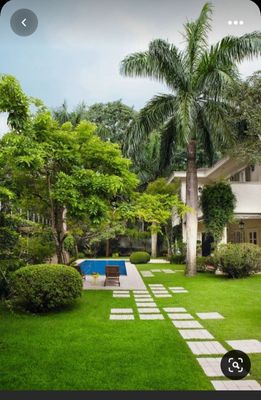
(81, 349)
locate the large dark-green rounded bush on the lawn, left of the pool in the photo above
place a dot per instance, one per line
(42, 288)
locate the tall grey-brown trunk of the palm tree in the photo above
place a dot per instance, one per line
(192, 202)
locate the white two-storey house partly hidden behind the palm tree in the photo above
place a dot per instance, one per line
(246, 185)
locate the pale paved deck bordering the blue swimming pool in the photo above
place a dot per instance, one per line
(131, 281)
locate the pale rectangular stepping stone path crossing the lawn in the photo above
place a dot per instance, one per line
(189, 329)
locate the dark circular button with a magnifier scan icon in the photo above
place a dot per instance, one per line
(235, 365)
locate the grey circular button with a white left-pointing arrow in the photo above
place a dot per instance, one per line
(24, 22)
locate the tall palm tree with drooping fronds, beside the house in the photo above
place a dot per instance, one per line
(194, 110)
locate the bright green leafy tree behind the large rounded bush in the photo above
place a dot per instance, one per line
(66, 172)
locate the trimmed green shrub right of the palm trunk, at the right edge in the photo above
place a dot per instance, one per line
(238, 260)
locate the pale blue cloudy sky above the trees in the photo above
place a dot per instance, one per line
(76, 51)
